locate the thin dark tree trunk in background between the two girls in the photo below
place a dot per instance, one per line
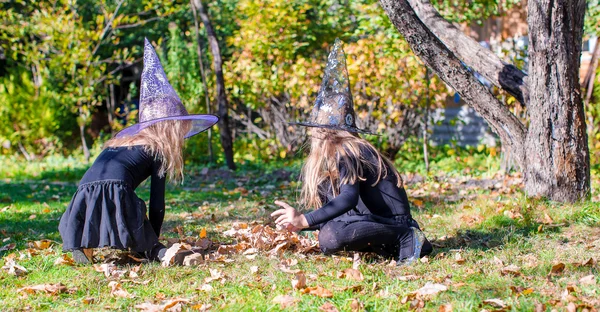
(224, 128)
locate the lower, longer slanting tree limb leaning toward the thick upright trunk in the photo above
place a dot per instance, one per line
(439, 58)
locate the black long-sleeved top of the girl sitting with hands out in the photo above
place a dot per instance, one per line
(385, 199)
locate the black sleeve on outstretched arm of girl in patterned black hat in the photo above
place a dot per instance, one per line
(344, 202)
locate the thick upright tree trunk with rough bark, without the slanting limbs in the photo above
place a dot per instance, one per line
(557, 160)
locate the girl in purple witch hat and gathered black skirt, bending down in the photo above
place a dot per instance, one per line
(105, 211)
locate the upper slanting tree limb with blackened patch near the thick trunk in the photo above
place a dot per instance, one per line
(489, 65)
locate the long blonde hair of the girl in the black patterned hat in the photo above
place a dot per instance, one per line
(329, 148)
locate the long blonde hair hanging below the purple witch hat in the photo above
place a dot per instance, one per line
(164, 140)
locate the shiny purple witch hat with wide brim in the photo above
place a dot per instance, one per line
(160, 102)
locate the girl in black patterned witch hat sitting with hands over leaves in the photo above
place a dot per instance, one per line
(361, 203)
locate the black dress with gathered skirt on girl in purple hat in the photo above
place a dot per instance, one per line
(106, 212)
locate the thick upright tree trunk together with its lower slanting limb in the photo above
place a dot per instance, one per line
(556, 162)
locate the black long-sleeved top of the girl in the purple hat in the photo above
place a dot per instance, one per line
(133, 165)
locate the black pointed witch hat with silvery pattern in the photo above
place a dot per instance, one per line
(334, 107)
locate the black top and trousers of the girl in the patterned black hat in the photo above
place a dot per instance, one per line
(365, 216)
